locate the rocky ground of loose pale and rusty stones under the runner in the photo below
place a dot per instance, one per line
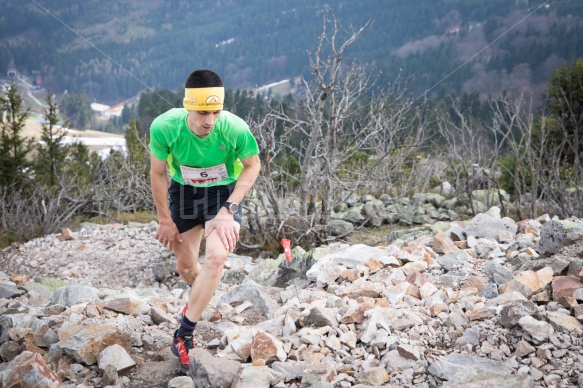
(486, 302)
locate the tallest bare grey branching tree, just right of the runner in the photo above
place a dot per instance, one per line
(346, 136)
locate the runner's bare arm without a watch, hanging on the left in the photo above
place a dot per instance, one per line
(167, 231)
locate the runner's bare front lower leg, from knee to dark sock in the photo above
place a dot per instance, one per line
(209, 277)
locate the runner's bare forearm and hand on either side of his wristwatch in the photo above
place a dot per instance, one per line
(224, 223)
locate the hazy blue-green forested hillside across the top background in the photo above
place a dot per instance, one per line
(113, 50)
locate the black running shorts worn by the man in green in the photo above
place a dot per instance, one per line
(192, 206)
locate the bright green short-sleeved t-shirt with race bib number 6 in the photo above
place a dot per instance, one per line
(212, 161)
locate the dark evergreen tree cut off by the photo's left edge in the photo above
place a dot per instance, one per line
(14, 148)
